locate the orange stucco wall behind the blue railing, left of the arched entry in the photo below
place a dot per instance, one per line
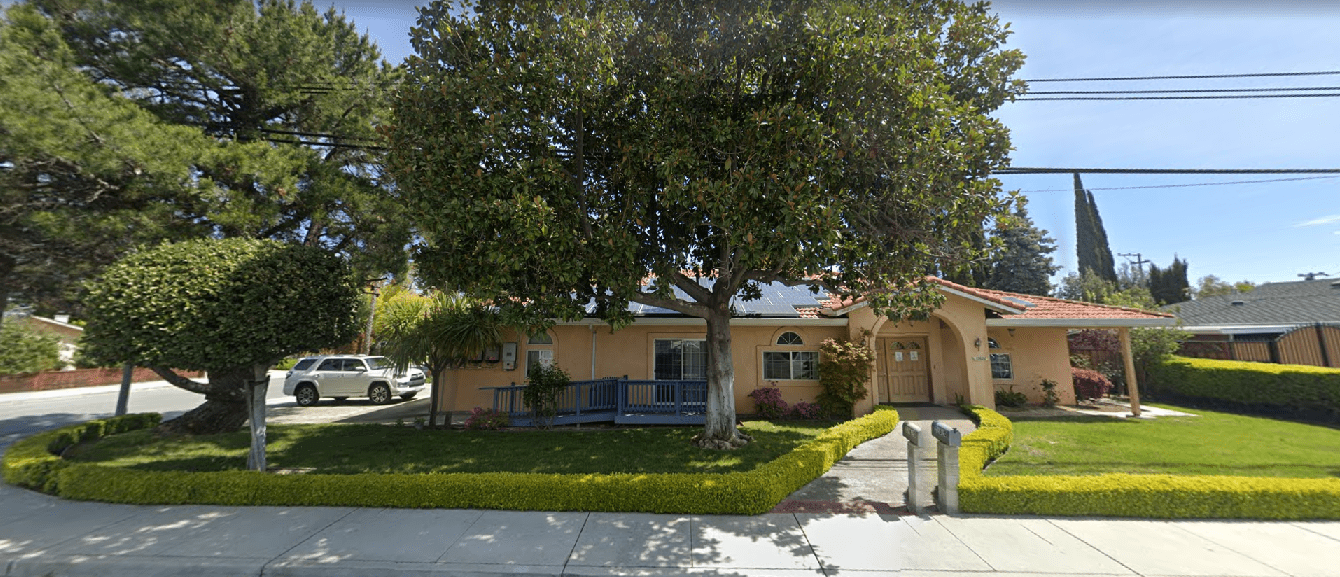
(630, 353)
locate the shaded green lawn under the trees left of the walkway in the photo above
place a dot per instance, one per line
(350, 449)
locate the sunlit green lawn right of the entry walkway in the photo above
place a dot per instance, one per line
(1213, 444)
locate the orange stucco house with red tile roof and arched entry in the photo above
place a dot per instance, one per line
(978, 342)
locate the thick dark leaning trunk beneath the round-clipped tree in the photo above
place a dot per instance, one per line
(224, 409)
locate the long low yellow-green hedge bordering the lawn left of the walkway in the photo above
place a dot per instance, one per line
(36, 467)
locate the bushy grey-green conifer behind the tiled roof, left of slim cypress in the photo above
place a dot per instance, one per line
(1022, 264)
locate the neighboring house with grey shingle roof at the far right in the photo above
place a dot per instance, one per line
(1292, 323)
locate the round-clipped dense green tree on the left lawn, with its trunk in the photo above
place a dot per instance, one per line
(222, 307)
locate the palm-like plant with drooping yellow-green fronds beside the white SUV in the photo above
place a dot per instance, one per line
(439, 331)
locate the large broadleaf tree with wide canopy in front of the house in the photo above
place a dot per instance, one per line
(681, 153)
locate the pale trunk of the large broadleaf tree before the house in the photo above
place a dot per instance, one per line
(720, 429)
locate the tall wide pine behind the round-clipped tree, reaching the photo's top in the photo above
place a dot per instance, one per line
(290, 100)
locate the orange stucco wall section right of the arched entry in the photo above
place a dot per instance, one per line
(1036, 354)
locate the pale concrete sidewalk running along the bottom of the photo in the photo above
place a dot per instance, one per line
(42, 536)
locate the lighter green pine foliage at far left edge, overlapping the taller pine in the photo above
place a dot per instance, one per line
(85, 173)
